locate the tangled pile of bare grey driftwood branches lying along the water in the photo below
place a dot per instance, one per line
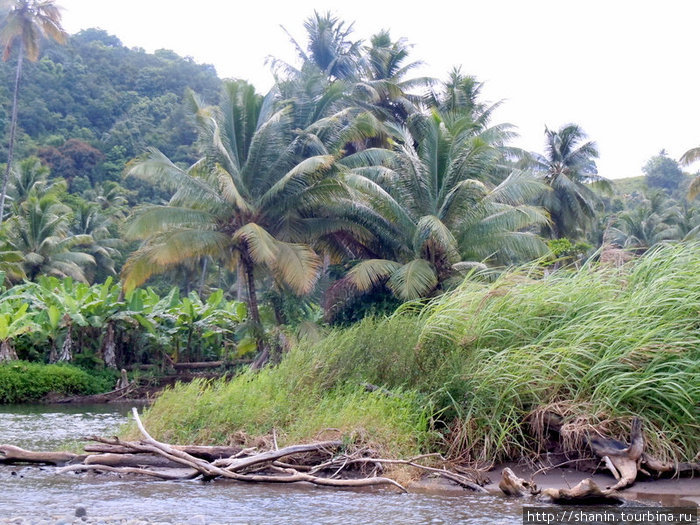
(317, 463)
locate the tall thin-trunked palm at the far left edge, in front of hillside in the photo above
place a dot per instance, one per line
(24, 24)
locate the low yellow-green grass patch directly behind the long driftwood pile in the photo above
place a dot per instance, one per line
(253, 405)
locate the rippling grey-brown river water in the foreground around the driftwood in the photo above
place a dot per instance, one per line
(42, 493)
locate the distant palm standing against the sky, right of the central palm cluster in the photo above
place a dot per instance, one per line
(569, 170)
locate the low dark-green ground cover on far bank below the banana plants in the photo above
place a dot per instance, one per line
(22, 382)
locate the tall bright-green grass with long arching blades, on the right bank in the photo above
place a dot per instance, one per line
(597, 346)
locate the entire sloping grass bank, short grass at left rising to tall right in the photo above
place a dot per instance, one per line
(474, 372)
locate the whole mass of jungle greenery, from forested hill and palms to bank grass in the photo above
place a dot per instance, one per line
(155, 213)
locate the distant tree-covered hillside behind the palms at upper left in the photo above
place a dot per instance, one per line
(89, 106)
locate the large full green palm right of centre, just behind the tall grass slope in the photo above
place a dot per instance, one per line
(429, 211)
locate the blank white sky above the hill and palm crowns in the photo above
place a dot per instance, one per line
(625, 70)
